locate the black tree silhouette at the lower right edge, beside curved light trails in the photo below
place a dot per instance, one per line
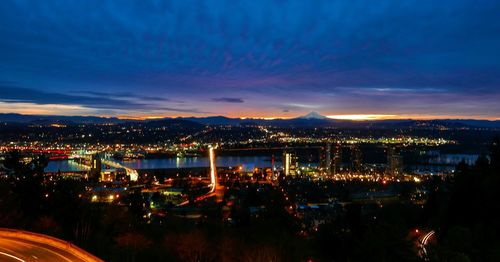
(469, 229)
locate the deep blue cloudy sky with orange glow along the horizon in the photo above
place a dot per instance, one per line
(420, 59)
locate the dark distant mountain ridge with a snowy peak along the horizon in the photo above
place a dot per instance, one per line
(312, 119)
